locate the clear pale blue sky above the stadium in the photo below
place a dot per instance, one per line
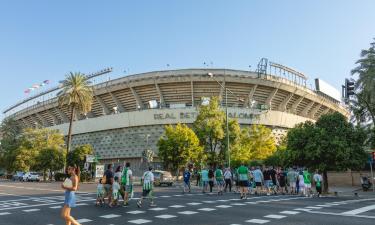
(44, 40)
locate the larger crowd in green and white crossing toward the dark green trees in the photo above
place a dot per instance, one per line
(257, 180)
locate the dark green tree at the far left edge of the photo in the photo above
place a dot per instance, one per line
(10, 131)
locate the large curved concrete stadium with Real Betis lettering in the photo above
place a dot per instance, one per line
(129, 113)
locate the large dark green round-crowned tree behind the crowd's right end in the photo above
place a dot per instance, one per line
(330, 144)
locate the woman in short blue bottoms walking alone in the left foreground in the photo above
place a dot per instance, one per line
(70, 186)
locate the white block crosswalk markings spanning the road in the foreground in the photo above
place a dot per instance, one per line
(173, 208)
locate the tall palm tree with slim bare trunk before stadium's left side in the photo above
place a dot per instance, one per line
(77, 94)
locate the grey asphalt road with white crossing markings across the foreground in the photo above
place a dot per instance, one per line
(40, 204)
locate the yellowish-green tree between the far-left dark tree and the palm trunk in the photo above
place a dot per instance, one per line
(32, 141)
